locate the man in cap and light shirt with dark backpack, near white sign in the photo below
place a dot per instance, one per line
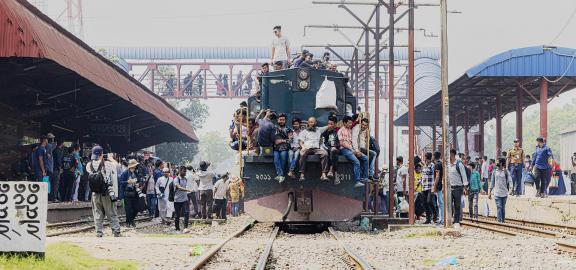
(104, 203)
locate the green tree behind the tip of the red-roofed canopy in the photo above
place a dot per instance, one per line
(178, 152)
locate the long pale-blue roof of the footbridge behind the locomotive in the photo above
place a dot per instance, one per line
(164, 53)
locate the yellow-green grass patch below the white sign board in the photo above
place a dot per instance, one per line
(61, 256)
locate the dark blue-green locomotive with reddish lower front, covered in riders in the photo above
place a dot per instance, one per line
(293, 92)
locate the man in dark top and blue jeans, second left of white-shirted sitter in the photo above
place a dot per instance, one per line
(281, 147)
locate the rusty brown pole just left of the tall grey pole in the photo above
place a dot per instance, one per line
(411, 108)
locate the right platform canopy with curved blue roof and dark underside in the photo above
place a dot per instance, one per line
(503, 74)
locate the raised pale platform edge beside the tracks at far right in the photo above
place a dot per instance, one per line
(560, 210)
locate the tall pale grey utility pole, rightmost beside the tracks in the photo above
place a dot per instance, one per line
(445, 111)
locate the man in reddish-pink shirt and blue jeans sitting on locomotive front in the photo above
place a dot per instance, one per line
(352, 155)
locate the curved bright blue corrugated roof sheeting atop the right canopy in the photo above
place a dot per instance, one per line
(528, 62)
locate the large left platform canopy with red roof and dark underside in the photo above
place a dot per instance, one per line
(52, 79)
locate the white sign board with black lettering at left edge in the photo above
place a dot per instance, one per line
(23, 213)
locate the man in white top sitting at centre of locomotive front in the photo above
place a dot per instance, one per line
(310, 144)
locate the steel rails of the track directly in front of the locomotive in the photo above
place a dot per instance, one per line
(351, 258)
